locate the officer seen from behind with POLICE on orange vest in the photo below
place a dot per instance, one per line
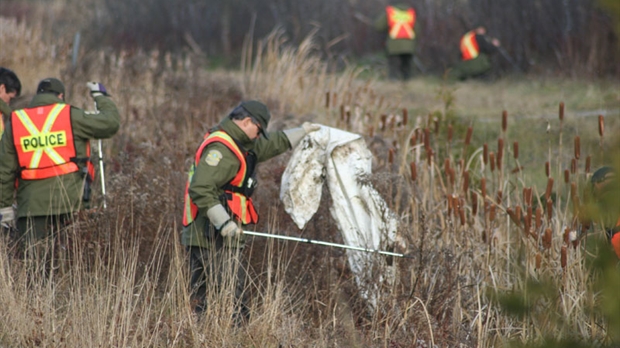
(45, 157)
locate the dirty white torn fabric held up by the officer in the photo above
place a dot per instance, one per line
(364, 219)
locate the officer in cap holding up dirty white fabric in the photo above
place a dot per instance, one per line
(218, 197)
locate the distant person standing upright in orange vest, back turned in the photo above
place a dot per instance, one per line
(401, 25)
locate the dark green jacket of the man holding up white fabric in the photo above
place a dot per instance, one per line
(207, 182)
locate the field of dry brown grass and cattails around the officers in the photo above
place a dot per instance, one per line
(493, 262)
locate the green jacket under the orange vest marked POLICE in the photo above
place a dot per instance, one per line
(61, 194)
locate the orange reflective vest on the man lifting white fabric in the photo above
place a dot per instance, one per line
(237, 191)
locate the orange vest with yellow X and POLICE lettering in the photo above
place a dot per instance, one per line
(43, 139)
